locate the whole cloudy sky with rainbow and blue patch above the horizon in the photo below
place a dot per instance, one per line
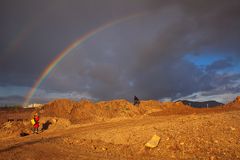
(165, 50)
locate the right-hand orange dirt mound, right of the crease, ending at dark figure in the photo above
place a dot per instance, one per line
(87, 111)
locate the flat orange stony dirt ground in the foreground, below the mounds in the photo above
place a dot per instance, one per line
(204, 135)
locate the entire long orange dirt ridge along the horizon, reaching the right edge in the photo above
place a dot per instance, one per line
(86, 111)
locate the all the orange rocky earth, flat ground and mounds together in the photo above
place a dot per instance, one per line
(119, 130)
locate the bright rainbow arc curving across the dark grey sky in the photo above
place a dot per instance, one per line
(68, 50)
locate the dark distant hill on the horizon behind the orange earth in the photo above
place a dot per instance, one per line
(204, 104)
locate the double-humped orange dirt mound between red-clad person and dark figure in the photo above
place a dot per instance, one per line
(87, 111)
